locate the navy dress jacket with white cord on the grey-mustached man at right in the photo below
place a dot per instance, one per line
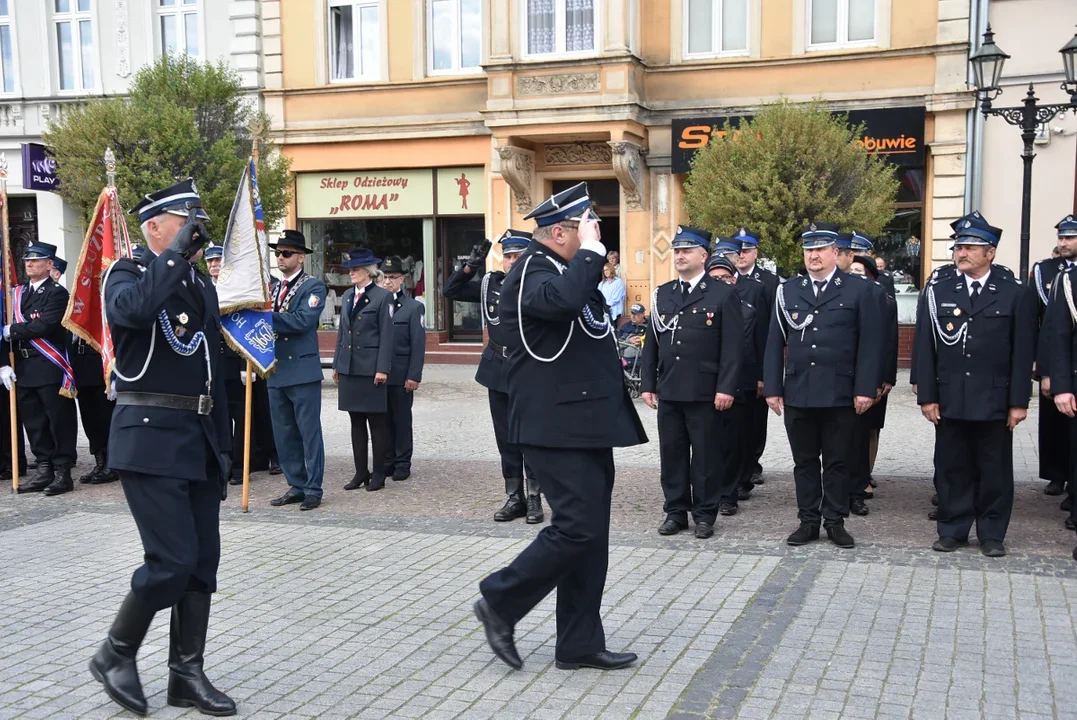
(987, 373)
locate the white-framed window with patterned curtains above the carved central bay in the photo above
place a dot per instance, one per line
(560, 26)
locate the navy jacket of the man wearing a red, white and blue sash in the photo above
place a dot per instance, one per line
(44, 310)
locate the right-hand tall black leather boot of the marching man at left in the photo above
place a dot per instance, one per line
(188, 685)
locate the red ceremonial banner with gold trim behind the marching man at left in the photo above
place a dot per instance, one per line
(107, 242)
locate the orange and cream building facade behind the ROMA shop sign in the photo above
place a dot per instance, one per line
(418, 128)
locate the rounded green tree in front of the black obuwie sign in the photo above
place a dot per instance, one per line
(788, 166)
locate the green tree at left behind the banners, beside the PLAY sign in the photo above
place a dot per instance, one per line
(183, 119)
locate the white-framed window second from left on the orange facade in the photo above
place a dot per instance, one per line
(455, 36)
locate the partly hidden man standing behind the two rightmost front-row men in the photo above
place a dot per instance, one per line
(1054, 431)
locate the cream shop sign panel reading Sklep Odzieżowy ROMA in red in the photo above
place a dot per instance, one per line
(366, 194)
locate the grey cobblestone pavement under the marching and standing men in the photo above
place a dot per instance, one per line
(363, 608)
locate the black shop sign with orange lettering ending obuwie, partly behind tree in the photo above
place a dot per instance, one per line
(897, 134)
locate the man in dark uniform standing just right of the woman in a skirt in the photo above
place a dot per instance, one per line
(405, 374)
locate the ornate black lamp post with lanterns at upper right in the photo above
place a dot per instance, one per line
(988, 64)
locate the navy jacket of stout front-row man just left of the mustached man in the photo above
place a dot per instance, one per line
(836, 357)
